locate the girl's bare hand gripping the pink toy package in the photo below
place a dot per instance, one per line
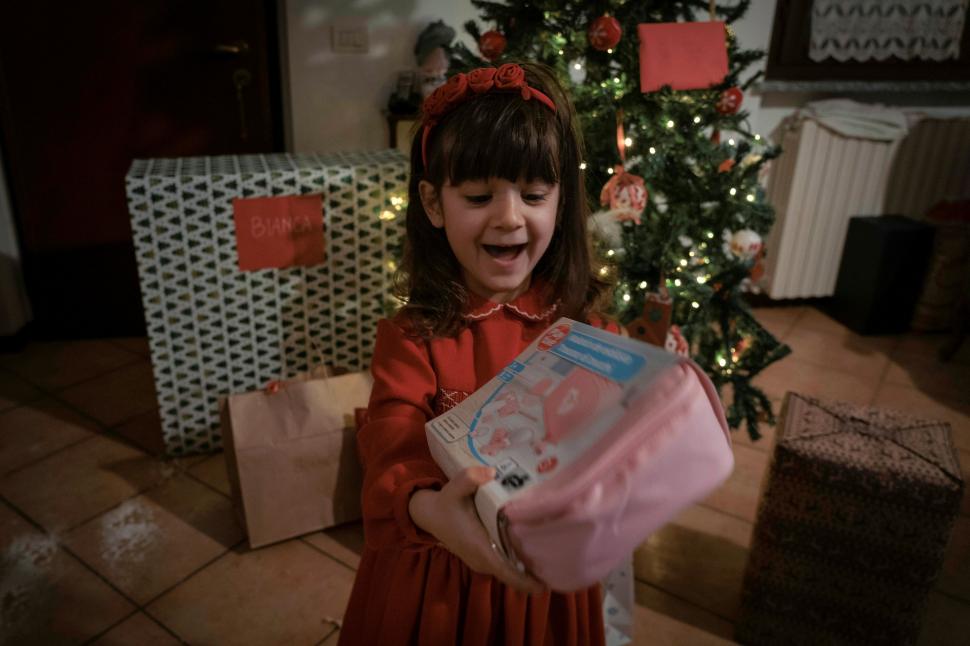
(449, 515)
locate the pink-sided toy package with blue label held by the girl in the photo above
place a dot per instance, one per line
(597, 440)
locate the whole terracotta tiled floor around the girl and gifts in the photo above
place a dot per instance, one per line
(104, 543)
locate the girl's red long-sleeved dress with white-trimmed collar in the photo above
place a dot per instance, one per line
(409, 590)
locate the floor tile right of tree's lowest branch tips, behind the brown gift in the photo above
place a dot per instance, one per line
(792, 374)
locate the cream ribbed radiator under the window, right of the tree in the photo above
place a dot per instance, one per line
(823, 178)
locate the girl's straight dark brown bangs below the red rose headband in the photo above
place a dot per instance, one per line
(503, 137)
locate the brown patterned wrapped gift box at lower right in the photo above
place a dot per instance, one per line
(856, 511)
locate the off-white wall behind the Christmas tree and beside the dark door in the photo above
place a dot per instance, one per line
(336, 99)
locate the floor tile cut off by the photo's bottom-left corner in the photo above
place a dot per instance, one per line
(48, 596)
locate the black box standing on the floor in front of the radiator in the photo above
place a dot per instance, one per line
(883, 264)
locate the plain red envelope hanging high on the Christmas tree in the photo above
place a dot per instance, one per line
(683, 55)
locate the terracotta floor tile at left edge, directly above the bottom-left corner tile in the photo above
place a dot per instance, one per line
(81, 481)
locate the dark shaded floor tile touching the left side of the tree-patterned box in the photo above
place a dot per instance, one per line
(117, 396)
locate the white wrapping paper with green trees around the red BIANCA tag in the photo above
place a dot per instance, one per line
(215, 330)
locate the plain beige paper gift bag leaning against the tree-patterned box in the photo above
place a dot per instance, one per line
(291, 455)
